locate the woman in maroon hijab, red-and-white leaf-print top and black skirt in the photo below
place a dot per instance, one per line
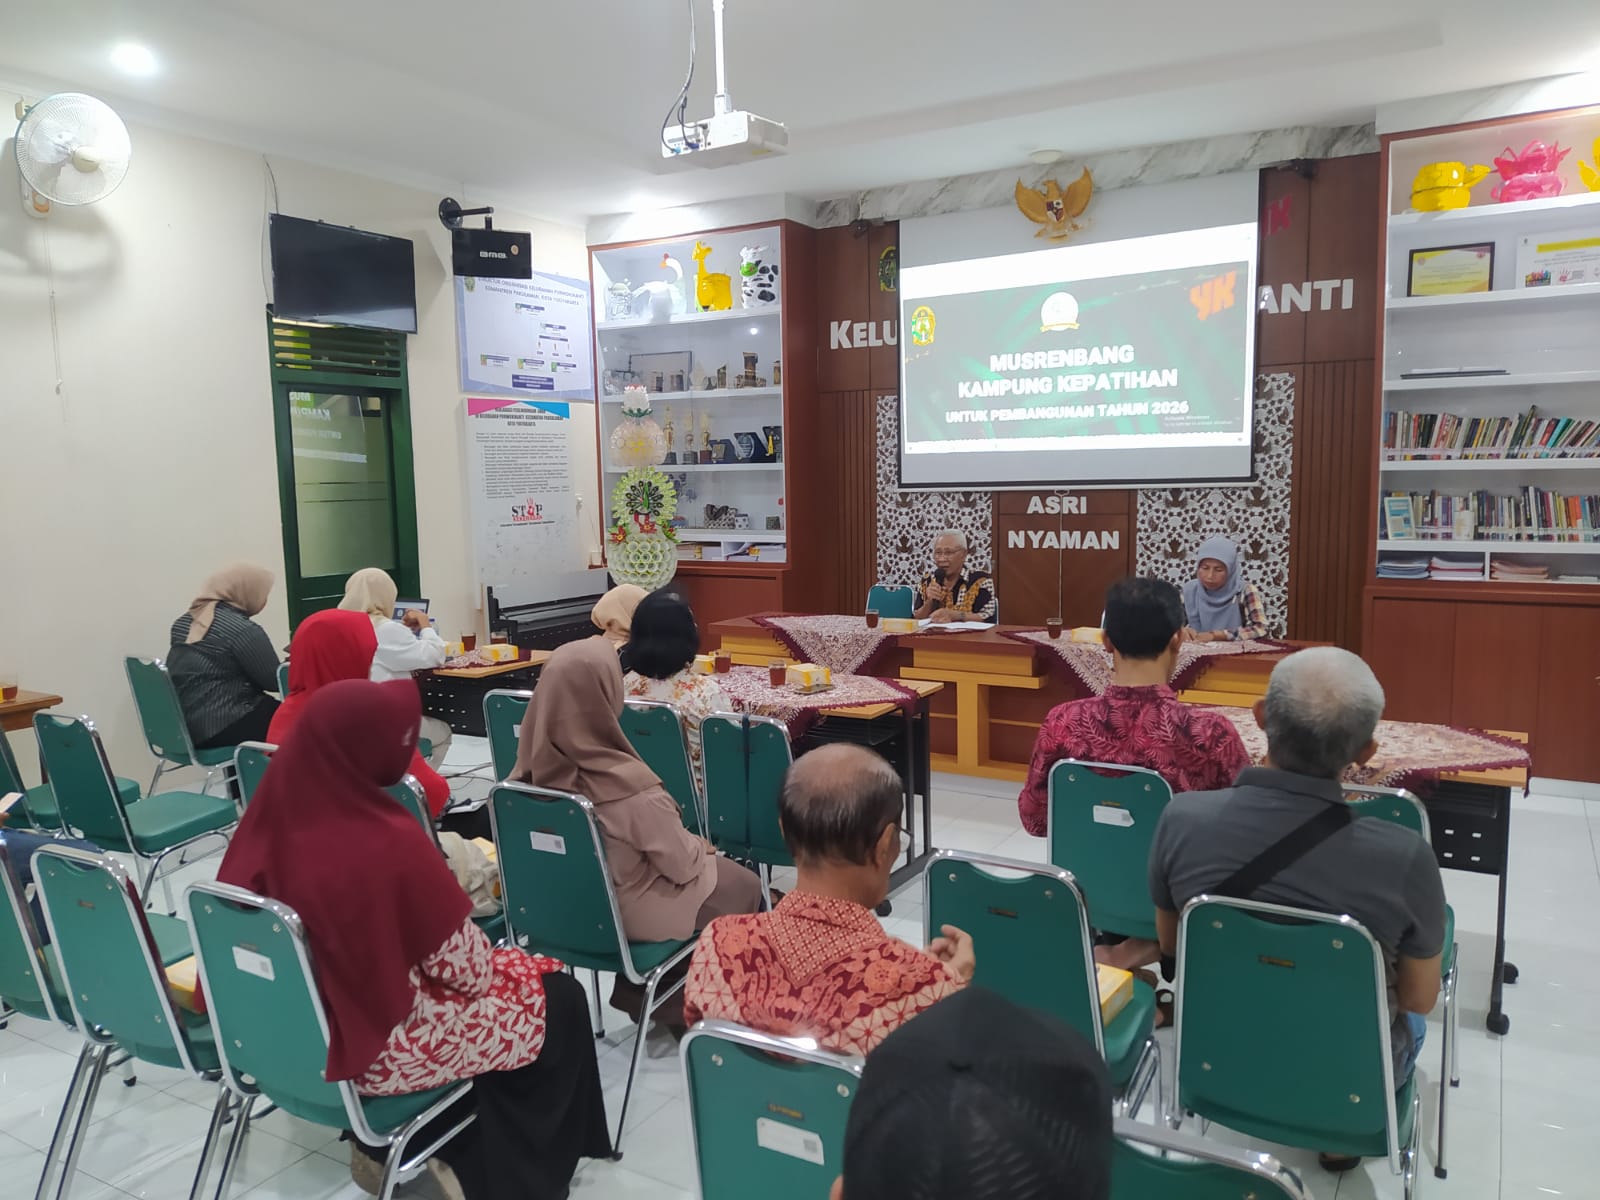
(418, 998)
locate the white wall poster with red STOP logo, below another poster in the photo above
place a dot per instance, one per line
(524, 503)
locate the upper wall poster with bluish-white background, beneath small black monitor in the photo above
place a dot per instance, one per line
(526, 337)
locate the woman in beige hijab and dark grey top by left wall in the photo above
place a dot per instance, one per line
(223, 665)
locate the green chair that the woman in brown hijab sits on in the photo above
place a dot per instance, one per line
(559, 902)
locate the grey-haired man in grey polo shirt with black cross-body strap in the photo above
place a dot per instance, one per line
(1319, 714)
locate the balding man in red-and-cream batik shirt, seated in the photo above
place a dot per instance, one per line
(820, 966)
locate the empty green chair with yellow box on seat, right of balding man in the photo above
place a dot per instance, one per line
(1031, 930)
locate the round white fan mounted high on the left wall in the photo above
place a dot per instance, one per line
(71, 150)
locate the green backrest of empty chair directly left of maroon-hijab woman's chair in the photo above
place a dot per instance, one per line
(110, 964)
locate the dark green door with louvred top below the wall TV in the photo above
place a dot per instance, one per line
(345, 462)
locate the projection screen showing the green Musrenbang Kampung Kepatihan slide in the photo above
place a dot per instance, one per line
(1127, 361)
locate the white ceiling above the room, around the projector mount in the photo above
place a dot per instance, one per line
(558, 106)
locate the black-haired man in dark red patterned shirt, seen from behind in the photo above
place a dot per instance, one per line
(1138, 722)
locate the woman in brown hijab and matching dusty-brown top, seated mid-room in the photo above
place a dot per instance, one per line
(668, 881)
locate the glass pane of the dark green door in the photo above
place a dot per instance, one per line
(343, 487)
